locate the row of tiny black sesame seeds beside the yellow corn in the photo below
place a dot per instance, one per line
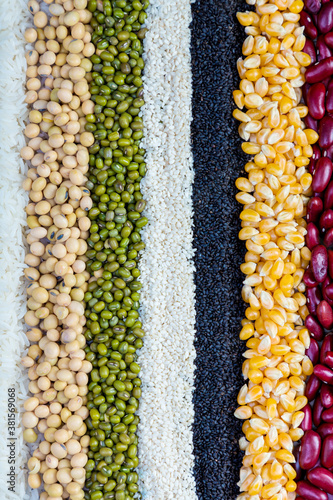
(216, 39)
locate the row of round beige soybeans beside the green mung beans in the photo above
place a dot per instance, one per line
(57, 95)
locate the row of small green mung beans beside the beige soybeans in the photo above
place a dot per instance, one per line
(116, 167)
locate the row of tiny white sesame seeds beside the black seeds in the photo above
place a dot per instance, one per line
(167, 358)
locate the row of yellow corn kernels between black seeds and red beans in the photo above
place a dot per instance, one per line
(274, 196)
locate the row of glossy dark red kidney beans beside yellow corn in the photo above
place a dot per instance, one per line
(314, 456)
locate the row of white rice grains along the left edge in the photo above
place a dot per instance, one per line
(14, 18)
